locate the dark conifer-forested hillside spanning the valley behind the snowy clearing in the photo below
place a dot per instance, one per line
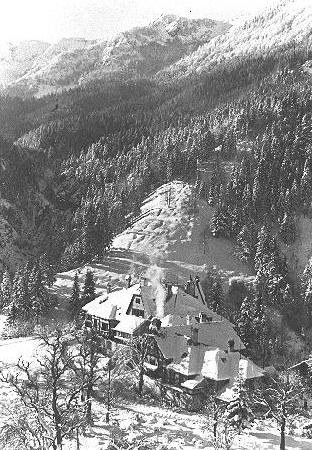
(91, 155)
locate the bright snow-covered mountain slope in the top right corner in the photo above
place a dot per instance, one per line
(289, 22)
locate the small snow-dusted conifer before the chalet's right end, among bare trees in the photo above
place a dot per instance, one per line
(238, 412)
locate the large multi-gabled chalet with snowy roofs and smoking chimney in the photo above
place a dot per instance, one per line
(191, 350)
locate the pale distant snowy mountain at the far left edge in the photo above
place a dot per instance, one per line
(17, 59)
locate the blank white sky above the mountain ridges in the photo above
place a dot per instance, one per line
(50, 20)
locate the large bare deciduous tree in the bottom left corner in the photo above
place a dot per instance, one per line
(49, 391)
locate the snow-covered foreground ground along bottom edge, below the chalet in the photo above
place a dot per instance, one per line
(161, 428)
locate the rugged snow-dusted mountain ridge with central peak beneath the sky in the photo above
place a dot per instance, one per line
(139, 52)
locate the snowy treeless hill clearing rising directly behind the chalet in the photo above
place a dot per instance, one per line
(169, 233)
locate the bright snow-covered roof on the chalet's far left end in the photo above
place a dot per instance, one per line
(113, 305)
